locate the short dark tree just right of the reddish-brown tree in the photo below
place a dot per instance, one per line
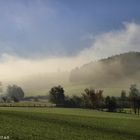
(111, 103)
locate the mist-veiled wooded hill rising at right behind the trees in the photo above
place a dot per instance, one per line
(118, 70)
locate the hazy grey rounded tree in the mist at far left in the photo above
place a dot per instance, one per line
(15, 93)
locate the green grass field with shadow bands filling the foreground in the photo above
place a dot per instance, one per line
(67, 124)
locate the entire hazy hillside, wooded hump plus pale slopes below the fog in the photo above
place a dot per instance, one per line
(118, 71)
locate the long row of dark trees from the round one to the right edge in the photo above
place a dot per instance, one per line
(94, 99)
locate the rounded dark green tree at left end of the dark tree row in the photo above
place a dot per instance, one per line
(56, 95)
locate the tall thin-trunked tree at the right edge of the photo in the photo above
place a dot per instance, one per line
(134, 96)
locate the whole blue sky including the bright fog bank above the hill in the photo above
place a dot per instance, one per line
(43, 36)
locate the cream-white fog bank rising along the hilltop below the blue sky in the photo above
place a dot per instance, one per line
(14, 68)
